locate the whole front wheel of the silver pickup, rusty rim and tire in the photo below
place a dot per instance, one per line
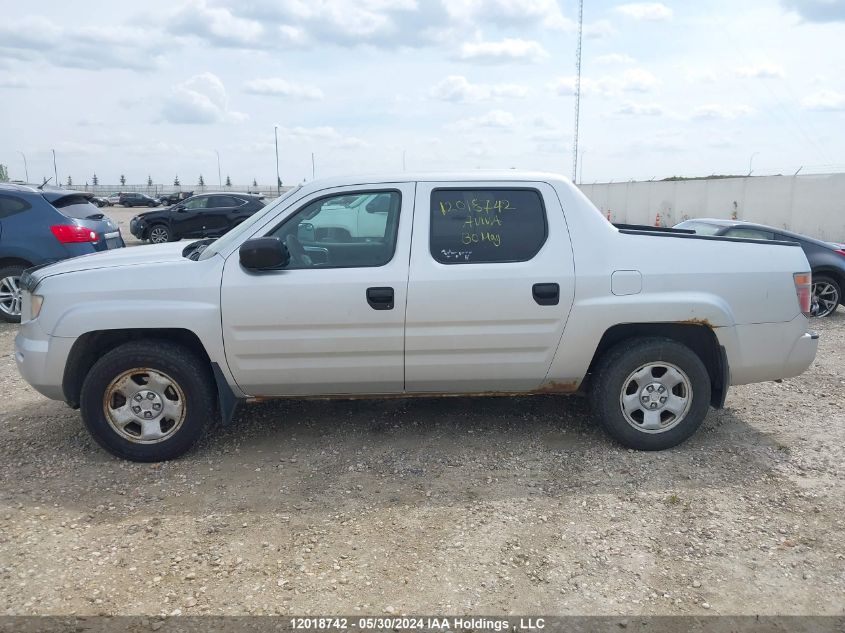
(148, 401)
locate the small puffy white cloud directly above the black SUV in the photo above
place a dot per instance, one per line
(201, 99)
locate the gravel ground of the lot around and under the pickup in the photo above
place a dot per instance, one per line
(487, 506)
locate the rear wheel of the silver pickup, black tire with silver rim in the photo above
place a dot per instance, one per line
(613, 378)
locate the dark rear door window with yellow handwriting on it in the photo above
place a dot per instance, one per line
(475, 226)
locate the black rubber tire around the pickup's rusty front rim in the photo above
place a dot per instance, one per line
(192, 376)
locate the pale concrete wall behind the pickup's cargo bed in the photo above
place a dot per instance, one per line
(813, 204)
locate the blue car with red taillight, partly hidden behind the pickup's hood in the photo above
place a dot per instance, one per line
(44, 226)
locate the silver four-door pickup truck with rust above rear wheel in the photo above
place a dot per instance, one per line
(404, 285)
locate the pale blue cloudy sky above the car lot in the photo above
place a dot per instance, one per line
(669, 88)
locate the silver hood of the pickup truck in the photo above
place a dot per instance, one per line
(118, 257)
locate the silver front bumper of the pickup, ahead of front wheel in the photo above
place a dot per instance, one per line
(41, 359)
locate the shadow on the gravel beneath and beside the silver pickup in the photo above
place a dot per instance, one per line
(332, 456)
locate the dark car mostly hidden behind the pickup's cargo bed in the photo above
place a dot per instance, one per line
(827, 260)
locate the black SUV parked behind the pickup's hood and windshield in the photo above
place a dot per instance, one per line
(205, 215)
